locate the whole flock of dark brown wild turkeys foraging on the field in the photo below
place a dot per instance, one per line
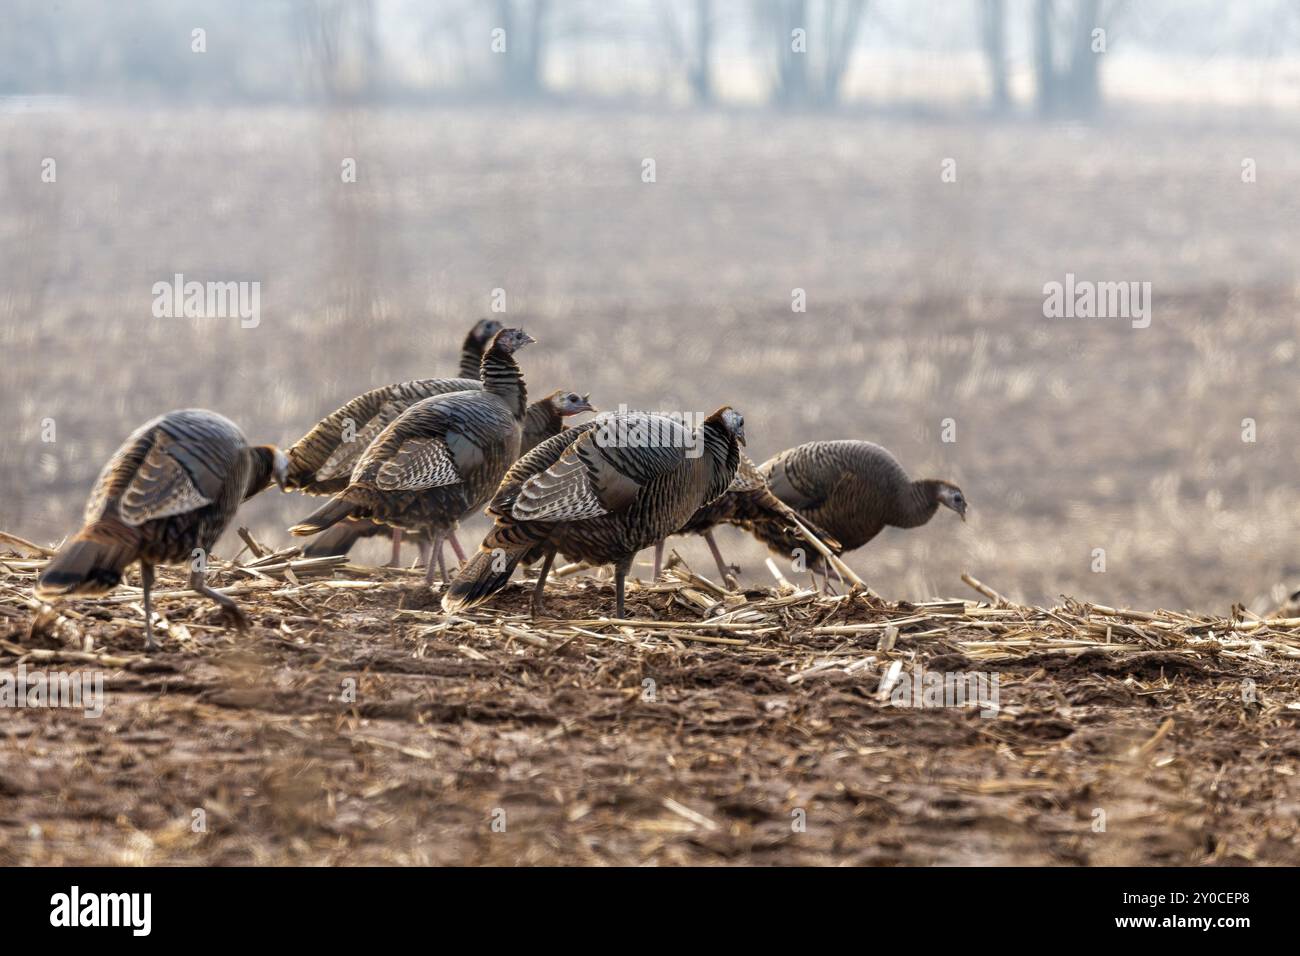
(419, 457)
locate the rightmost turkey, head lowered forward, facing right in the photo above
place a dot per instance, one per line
(852, 490)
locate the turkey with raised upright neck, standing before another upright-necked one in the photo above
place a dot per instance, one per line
(441, 458)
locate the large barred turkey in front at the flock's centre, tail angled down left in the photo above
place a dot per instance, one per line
(600, 494)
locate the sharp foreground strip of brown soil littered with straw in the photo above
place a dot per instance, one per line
(356, 723)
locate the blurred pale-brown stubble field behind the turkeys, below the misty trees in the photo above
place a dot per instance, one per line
(924, 304)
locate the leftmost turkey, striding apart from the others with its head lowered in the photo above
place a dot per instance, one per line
(168, 492)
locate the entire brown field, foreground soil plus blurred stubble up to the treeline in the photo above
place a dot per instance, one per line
(924, 304)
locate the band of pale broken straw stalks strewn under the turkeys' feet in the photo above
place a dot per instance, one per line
(868, 631)
